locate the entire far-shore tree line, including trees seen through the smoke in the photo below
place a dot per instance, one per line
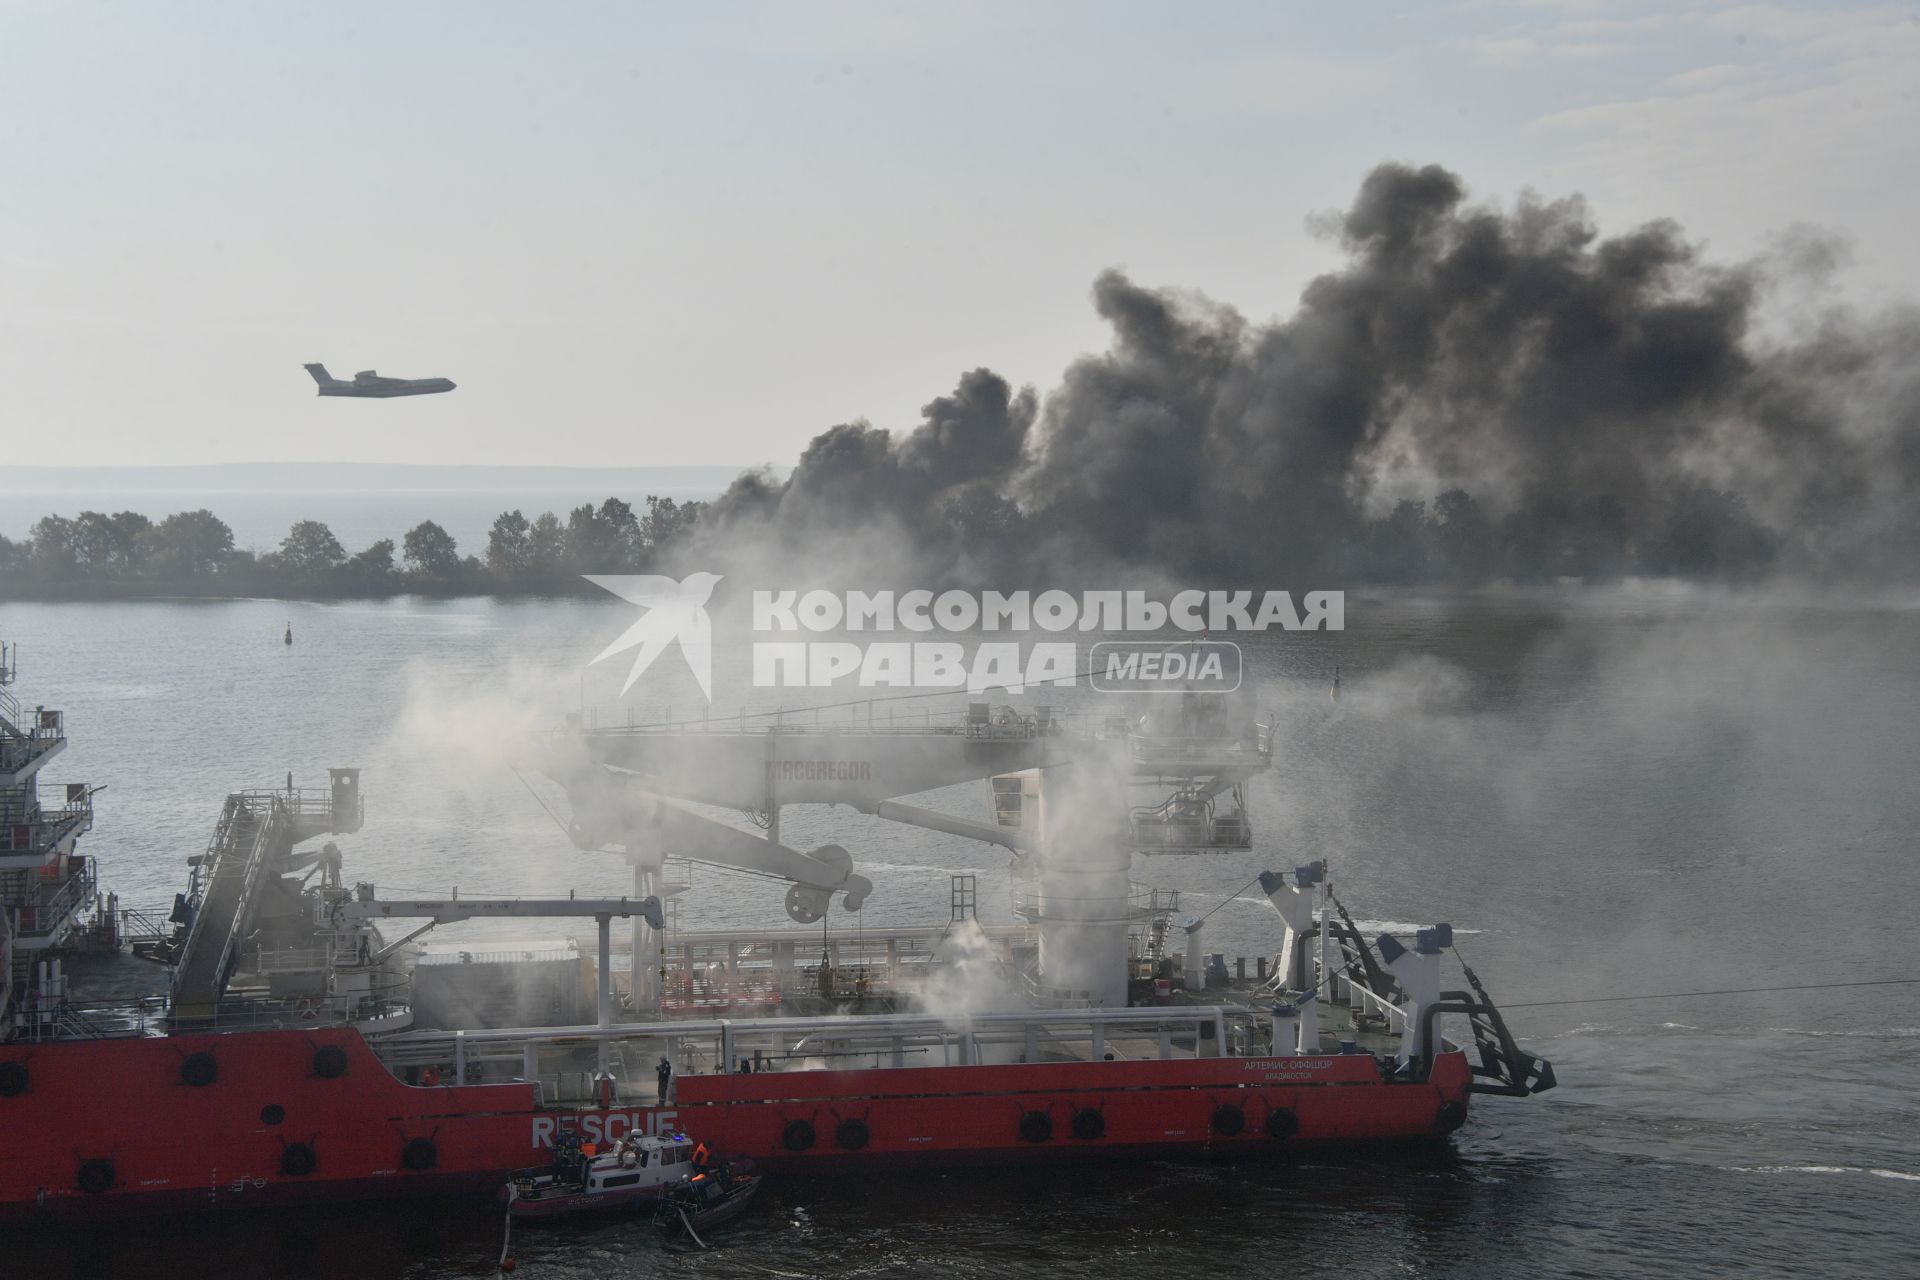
(1706, 534)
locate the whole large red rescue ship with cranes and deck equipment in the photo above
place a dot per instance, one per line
(279, 1035)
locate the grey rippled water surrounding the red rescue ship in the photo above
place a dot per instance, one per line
(1606, 795)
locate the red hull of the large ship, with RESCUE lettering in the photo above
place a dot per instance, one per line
(118, 1127)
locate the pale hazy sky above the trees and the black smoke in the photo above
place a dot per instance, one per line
(667, 235)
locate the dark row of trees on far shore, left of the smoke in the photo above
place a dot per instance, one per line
(193, 554)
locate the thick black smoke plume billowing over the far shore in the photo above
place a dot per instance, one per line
(1477, 394)
